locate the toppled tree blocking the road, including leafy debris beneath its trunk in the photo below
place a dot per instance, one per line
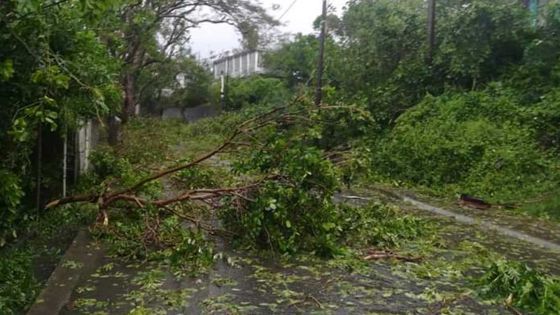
(282, 200)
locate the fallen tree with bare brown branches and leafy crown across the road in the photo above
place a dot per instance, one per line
(286, 201)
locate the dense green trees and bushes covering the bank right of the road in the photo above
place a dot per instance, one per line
(481, 118)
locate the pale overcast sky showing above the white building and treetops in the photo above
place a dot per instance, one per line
(218, 38)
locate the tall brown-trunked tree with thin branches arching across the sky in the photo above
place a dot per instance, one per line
(152, 31)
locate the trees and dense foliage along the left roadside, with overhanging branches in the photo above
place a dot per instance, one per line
(64, 62)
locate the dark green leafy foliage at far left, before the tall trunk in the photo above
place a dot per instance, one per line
(54, 70)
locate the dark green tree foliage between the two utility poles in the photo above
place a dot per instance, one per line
(383, 61)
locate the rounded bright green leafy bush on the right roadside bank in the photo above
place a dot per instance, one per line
(475, 142)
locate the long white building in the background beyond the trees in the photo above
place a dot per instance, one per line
(239, 65)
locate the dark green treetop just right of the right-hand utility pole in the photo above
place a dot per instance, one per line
(479, 41)
